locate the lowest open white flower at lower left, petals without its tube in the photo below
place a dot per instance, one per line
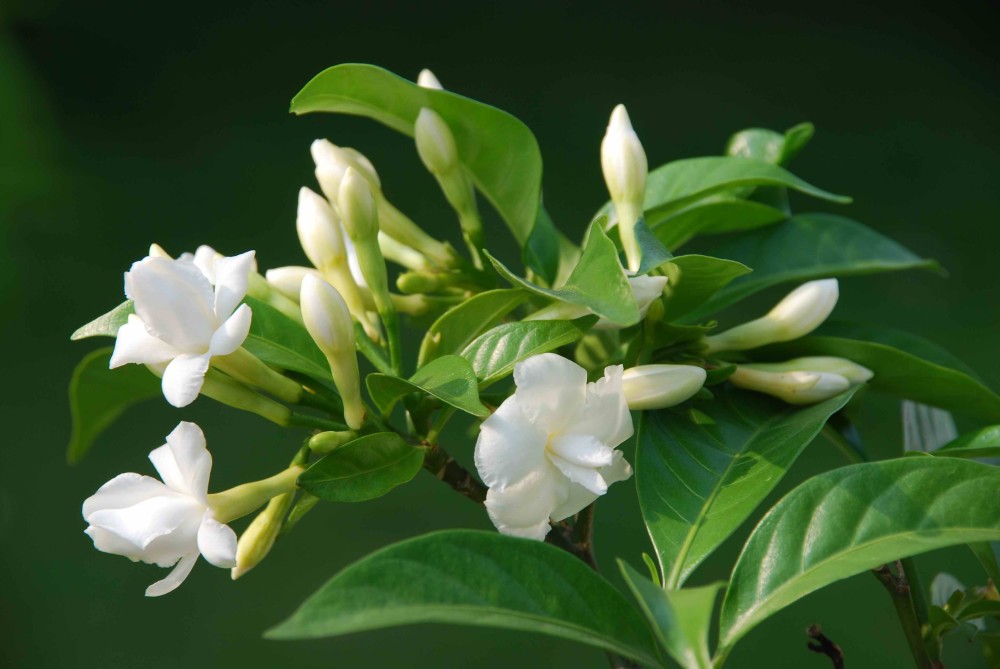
(166, 523)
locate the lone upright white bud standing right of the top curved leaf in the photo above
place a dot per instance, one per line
(623, 162)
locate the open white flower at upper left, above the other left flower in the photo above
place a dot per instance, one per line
(181, 321)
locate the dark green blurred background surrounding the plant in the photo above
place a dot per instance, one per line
(123, 123)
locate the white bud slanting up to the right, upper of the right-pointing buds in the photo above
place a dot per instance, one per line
(801, 312)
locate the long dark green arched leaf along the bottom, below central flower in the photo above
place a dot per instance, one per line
(475, 578)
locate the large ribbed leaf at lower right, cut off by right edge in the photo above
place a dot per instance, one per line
(853, 519)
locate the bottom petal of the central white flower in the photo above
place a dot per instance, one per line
(523, 510)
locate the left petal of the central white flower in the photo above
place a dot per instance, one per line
(509, 448)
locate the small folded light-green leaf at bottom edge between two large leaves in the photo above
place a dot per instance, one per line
(680, 618)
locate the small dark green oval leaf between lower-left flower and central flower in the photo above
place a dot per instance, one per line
(363, 469)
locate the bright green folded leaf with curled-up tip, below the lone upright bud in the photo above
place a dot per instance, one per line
(597, 282)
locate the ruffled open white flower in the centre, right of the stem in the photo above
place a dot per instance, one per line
(550, 449)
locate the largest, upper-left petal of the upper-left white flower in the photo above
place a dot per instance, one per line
(175, 301)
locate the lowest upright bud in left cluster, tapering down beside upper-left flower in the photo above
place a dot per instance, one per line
(329, 323)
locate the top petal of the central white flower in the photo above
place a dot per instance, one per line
(550, 390)
